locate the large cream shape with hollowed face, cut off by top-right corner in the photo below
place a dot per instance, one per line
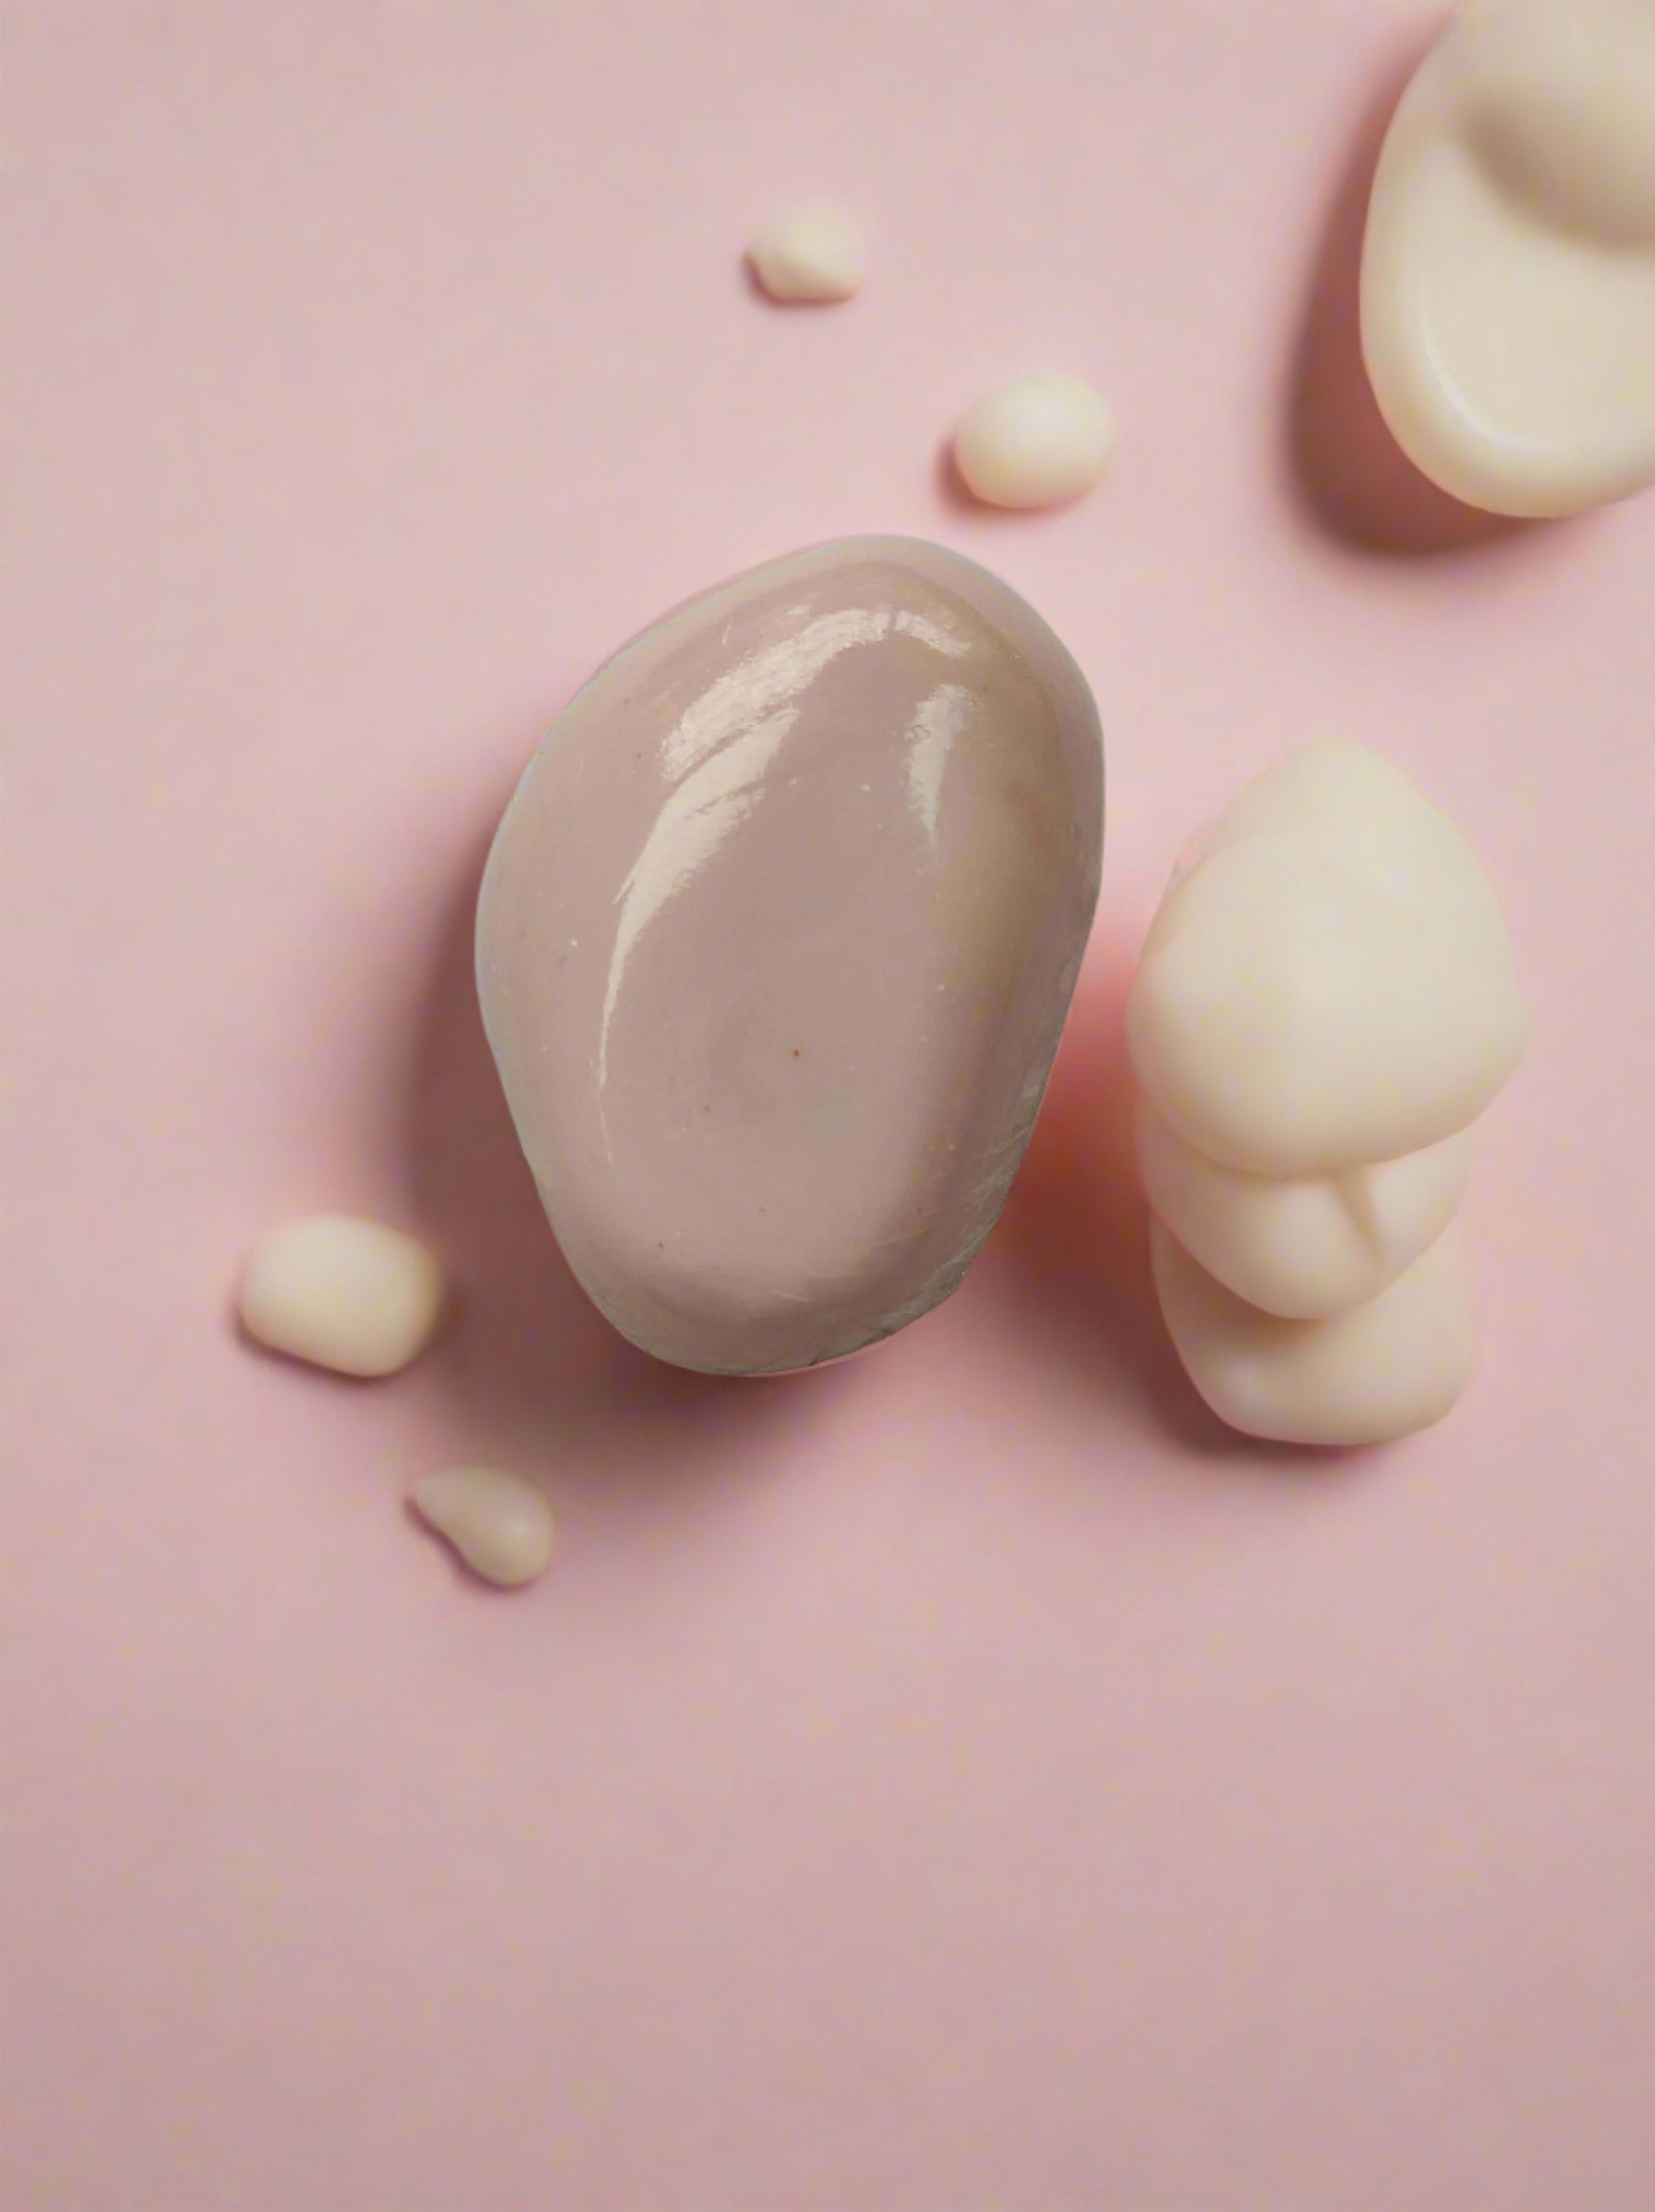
(1508, 291)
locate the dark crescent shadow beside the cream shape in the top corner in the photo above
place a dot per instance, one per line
(1349, 470)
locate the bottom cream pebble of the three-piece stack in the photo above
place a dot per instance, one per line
(1368, 1377)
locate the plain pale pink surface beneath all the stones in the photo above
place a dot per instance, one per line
(964, 1780)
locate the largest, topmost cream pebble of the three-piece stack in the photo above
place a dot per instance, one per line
(1329, 983)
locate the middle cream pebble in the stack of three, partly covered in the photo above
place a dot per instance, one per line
(1304, 1246)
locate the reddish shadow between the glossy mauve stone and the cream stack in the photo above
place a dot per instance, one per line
(1074, 1235)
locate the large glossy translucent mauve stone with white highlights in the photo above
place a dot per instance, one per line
(776, 946)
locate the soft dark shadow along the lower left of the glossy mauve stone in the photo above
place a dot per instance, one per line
(528, 1355)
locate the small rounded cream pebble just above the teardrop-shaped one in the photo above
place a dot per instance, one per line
(342, 1293)
